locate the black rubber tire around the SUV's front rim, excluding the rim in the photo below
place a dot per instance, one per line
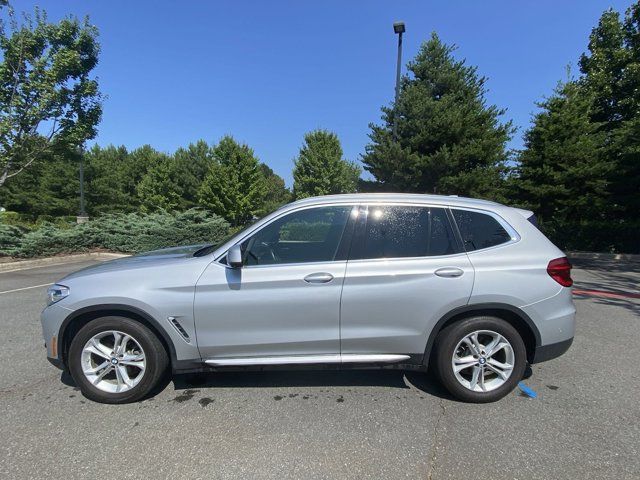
(156, 359)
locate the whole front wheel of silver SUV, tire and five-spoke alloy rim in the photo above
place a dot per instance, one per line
(116, 360)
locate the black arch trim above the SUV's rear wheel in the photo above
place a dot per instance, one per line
(513, 315)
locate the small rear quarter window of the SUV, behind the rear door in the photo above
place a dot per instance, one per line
(479, 230)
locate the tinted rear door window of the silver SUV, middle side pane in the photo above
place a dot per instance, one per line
(398, 231)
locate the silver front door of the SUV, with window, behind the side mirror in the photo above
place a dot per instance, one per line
(285, 300)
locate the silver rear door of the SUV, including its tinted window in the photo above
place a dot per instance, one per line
(406, 270)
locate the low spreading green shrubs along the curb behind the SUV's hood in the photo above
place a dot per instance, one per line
(129, 233)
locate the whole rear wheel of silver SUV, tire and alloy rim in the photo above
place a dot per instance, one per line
(480, 359)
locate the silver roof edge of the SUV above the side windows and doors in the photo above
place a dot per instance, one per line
(451, 200)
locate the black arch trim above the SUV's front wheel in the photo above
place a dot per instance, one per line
(76, 320)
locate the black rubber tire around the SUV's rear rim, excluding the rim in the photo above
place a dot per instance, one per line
(449, 338)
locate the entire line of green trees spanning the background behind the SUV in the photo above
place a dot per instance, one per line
(579, 169)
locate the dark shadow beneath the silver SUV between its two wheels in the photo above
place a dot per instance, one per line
(398, 379)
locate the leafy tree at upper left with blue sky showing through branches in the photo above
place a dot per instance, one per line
(49, 102)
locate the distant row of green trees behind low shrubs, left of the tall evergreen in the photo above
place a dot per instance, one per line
(226, 178)
